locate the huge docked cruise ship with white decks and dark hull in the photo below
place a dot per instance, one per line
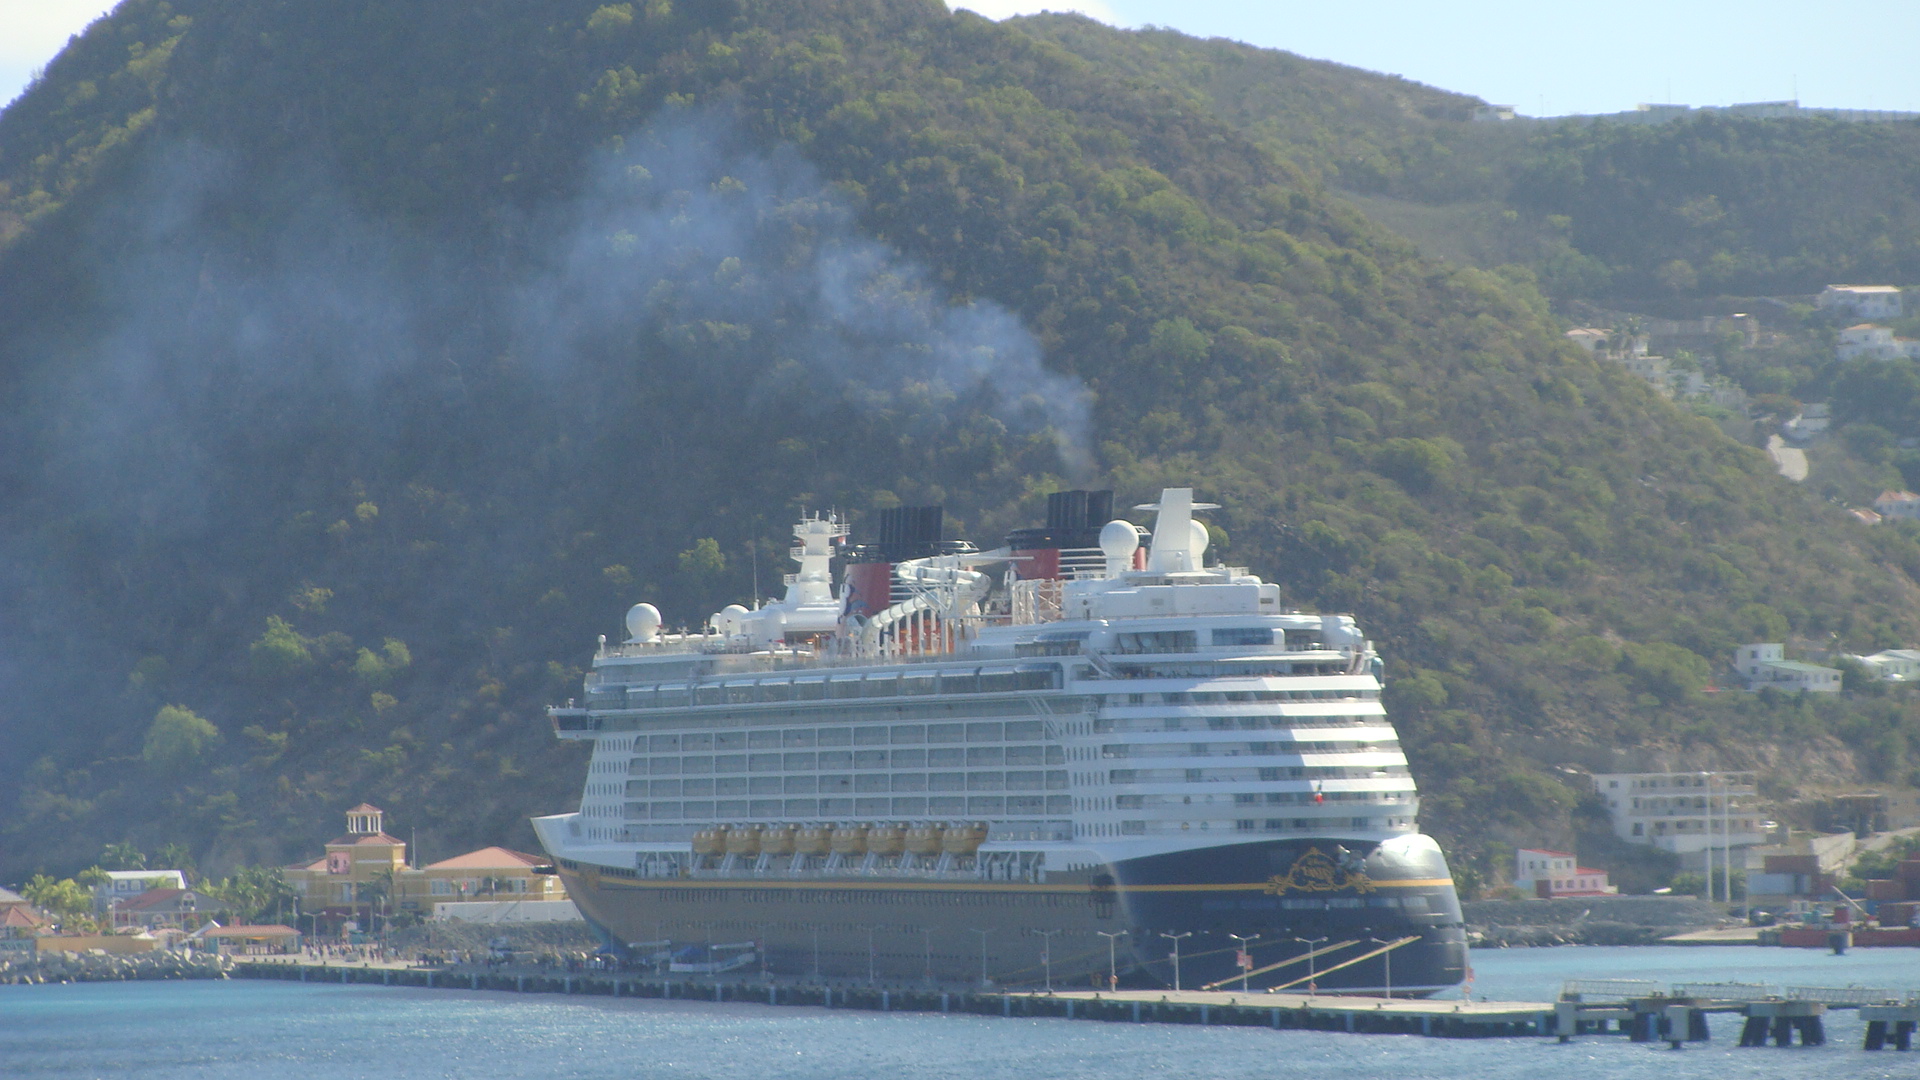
(1084, 758)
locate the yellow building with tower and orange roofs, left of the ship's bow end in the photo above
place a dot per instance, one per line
(366, 877)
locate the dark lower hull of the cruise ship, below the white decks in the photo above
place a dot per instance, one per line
(1297, 896)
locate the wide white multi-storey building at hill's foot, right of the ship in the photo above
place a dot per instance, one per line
(1685, 814)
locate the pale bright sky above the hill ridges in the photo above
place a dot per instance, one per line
(1543, 57)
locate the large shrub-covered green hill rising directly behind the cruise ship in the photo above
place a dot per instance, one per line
(362, 362)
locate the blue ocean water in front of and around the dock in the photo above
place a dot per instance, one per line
(231, 1031)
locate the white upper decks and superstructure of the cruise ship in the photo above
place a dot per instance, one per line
(984, 724)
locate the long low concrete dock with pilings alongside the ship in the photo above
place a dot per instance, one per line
(1639, 1010)
